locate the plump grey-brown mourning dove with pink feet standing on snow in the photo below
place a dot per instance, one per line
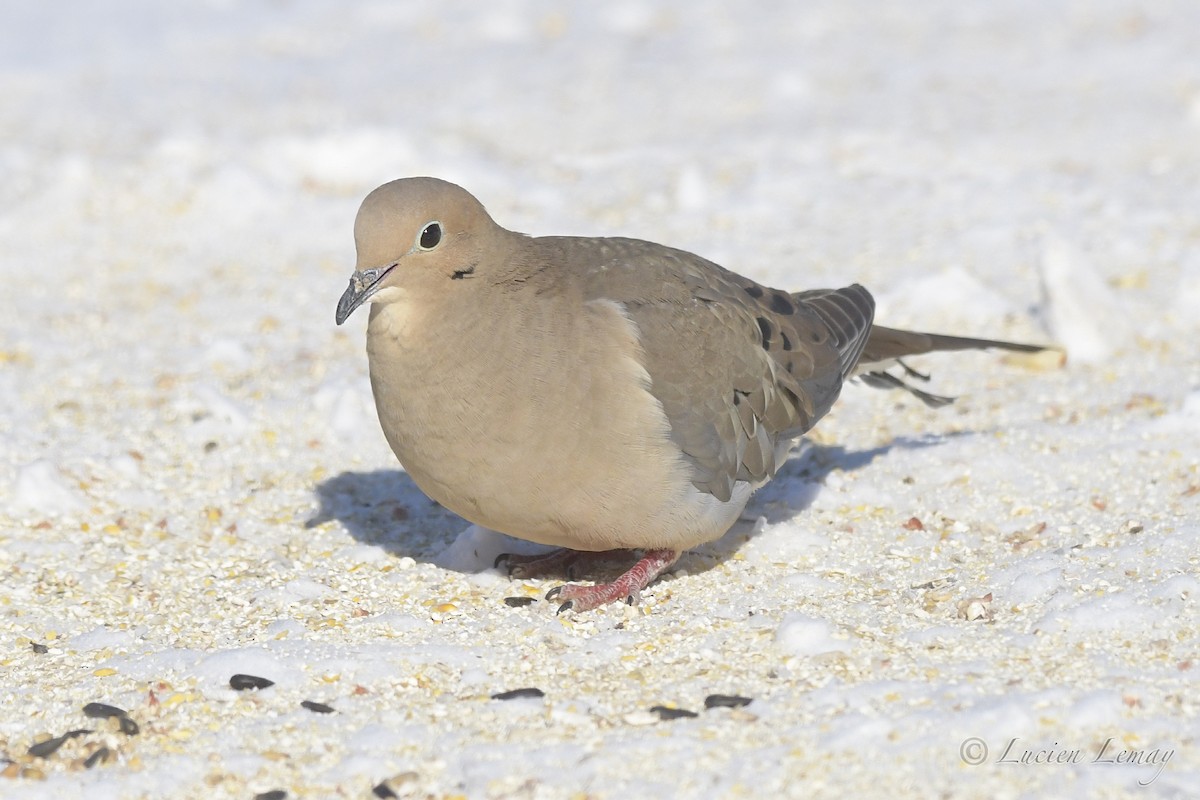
(596, 394)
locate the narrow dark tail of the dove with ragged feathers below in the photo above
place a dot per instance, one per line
(887, 346)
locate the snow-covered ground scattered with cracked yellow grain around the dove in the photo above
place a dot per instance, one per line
(194, 485)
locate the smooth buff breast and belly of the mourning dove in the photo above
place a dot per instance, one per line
(524, 436)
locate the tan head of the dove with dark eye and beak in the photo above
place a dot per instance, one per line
(413, 236)
